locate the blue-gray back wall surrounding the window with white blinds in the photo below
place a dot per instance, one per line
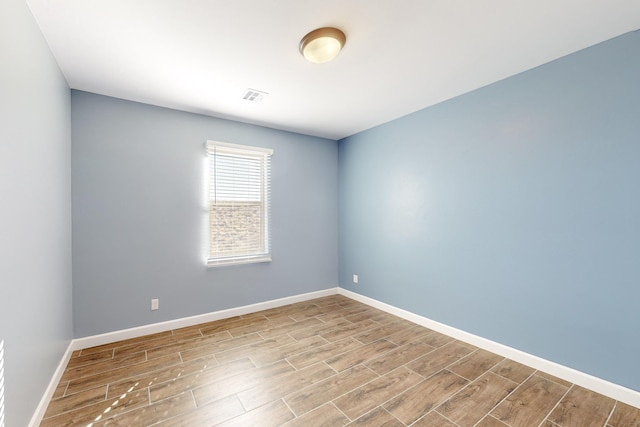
(139, 221)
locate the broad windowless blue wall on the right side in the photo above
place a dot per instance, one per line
(512, 212)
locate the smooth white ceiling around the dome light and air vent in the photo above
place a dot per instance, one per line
(400, 55)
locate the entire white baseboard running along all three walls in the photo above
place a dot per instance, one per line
(614, 391)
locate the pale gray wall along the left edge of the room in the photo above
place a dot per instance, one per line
(35, 212)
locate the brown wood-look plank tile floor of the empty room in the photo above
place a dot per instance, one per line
(326, 362)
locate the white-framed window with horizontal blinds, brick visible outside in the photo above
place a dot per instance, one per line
(239, 204)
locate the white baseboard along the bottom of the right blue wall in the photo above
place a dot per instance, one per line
(614, 391)
